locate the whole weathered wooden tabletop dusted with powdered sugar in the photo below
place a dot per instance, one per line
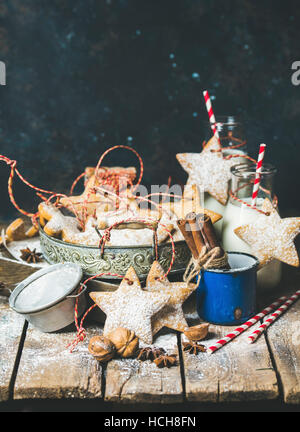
(238, 372)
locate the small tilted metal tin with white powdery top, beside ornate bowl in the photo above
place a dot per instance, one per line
(47, 298)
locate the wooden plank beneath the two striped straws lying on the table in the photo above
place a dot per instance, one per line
(237, 372)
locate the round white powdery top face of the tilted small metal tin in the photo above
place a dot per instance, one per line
(46, 288)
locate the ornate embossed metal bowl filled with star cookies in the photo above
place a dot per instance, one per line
(116, 259)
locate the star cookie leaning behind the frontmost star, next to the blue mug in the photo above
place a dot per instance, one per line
(171, 315)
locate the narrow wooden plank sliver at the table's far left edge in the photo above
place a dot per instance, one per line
(11, 326)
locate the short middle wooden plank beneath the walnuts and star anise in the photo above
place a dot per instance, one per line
(133, 381)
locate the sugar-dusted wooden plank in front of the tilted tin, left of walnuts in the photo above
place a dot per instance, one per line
(48, 371)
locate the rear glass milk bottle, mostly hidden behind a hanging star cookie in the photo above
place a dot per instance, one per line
(232, 139)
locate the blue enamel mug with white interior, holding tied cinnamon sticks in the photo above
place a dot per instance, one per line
(228, 297)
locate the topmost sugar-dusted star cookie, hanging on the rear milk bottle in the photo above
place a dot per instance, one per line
(209, 170)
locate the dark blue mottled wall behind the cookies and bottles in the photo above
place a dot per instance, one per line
(83, 75)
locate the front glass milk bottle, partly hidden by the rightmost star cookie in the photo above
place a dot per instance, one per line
(238, 213)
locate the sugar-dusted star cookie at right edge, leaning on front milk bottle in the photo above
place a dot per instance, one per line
(271, 237)
